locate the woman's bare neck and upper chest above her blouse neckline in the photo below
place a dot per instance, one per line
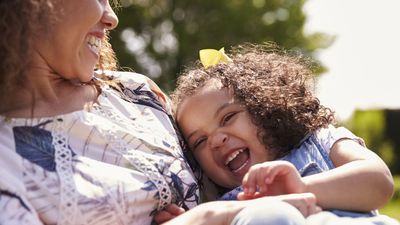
(47, 94)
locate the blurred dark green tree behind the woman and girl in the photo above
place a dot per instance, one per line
(159, 37)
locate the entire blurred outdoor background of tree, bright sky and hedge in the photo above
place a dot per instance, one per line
(355, 45)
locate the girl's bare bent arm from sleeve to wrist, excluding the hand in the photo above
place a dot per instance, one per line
(361, 181)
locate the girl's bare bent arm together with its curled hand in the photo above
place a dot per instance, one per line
(361, 181)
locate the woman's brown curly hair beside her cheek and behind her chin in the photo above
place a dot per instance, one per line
(20, 21)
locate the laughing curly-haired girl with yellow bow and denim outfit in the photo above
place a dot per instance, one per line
(239, 113)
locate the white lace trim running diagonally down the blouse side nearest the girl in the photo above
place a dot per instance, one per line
(136, 158)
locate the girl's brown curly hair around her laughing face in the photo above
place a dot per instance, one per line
(273, 85)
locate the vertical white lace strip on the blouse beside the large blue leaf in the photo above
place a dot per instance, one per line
(63, 159)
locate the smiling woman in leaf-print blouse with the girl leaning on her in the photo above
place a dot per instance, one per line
(84, 147)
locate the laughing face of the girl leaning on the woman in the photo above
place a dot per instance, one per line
(221, 135)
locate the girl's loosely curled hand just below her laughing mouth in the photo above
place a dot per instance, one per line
(271, 178)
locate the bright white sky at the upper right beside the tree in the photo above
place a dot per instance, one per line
(364, 60)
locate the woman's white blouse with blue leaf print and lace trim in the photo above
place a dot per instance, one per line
(117, 162)
